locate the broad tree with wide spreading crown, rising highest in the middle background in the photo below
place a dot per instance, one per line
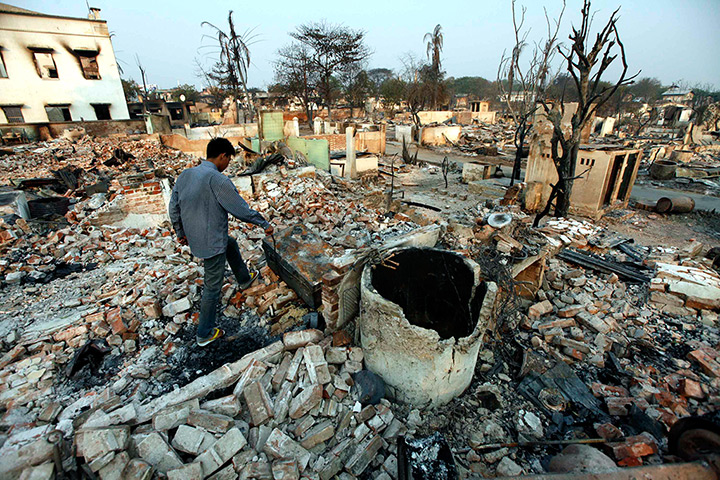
(333, 49)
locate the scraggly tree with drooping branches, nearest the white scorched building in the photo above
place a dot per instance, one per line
(231, 69)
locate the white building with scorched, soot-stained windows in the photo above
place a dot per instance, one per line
(57, 69)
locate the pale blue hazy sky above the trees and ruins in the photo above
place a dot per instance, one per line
(668, 39)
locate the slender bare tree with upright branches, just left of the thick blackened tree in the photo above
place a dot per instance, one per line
(523, 85)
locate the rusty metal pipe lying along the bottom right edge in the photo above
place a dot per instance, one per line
(701, 470)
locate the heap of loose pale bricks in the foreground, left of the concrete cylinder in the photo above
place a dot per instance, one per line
(291, 410)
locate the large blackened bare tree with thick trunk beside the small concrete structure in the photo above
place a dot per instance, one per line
(586, 63)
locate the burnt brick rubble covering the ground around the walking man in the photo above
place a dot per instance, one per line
(98, 325)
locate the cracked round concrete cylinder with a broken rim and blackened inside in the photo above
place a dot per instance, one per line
(423, 312)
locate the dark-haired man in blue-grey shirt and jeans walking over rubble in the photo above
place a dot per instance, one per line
(200, 201)
